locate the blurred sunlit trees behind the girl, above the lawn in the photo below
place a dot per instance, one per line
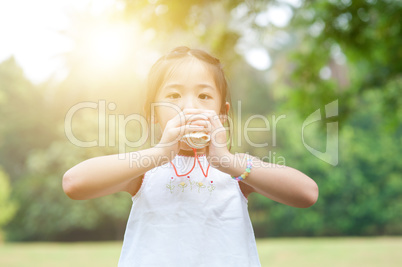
(282, 58)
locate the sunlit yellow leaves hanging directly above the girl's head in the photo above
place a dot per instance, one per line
(207, 20)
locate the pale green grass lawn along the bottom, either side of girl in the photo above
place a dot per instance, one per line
(278, 252)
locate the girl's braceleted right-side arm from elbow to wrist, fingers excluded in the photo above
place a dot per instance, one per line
(279, 183)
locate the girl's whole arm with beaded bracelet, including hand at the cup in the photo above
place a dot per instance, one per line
(280, 183)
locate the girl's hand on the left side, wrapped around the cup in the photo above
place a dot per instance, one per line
(187, 121)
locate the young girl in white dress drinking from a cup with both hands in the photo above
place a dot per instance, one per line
(189, 205)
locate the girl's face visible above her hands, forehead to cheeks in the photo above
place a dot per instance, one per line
(190, 86)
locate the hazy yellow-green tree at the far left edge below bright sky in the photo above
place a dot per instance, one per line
(25, 119)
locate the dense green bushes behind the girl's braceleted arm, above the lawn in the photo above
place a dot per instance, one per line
(360, 196)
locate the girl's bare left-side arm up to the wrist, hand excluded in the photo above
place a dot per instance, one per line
(105, 175)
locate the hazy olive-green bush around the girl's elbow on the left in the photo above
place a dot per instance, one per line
(46, 213)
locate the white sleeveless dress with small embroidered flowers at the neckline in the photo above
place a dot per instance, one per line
(189, 221)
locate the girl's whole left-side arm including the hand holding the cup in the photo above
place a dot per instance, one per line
(110, 174)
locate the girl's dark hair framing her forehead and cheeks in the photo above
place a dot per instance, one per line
(165, 65)
